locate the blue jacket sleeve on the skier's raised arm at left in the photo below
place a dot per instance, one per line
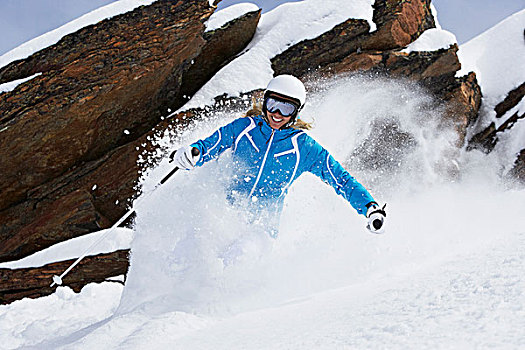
(221, 140)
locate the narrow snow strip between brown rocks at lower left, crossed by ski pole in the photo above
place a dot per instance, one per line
(71, 249)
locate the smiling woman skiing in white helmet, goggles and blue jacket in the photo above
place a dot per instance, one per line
(271, 151)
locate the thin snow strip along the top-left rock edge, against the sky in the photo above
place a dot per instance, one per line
(52, 37)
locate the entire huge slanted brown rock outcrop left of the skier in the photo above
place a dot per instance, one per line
(73, 135)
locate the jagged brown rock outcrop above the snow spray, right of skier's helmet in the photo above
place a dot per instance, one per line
(350, 48)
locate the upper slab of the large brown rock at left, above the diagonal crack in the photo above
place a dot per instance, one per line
(79, 111)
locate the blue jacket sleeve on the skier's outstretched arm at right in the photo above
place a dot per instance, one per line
(322, 164)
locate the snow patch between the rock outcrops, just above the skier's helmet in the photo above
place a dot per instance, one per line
(275, 33)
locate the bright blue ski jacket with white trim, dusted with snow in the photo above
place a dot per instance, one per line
(269, 161)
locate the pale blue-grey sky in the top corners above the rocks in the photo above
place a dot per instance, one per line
(22, 20)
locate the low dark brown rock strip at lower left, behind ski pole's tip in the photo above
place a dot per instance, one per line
(35, 282)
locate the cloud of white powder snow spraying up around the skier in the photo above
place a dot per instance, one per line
(194, 252)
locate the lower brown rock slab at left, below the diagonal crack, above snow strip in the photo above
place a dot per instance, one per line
(46, 220)
